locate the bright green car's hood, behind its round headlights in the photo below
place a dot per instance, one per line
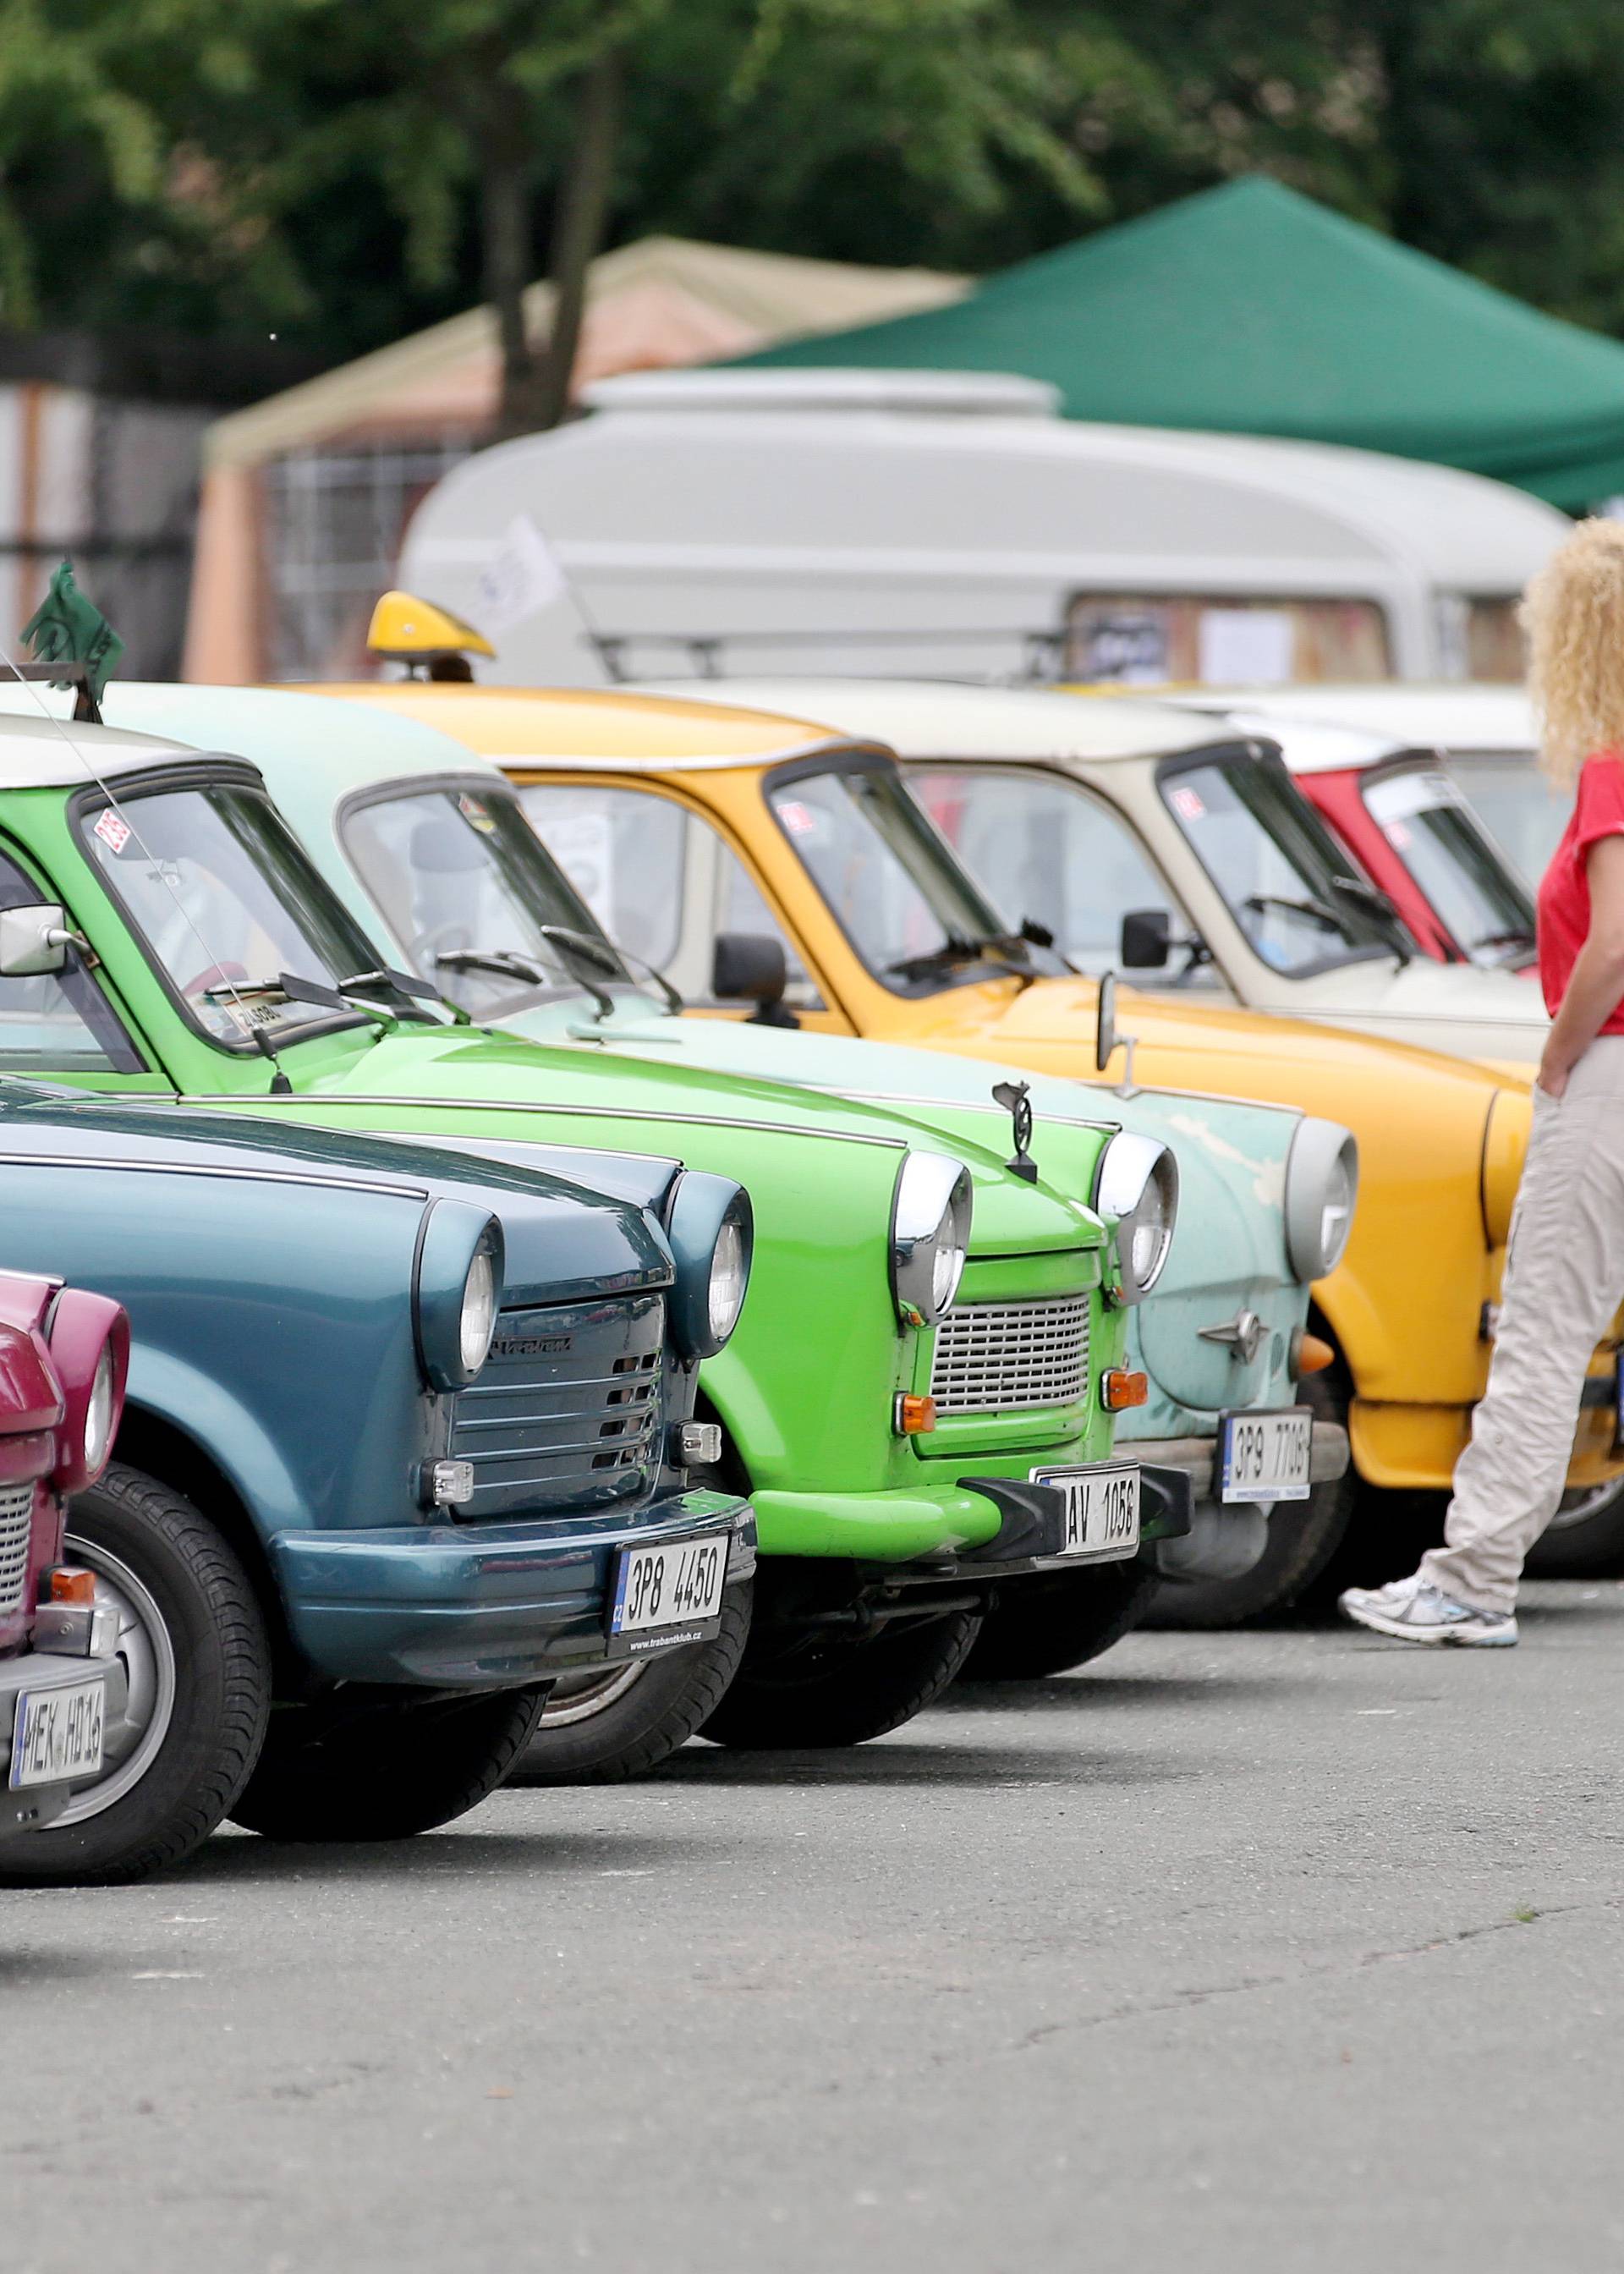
(661, 1102)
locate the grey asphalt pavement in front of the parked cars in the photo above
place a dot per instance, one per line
(1284, 1950)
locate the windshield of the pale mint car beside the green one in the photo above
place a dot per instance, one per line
(463, 874)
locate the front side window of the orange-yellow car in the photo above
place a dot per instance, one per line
(658, 879)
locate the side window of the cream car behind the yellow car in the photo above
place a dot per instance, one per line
(1052, 852)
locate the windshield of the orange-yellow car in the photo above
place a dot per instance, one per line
(895, 886)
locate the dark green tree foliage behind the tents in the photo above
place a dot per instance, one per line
(322, 167)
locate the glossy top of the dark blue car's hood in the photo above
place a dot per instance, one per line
(561, 1234)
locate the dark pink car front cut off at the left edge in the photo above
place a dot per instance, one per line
(63, 1684)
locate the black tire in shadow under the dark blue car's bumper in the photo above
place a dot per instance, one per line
(383, 1768)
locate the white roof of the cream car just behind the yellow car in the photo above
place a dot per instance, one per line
(934, 720)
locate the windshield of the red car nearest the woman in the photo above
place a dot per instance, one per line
(1455, 863)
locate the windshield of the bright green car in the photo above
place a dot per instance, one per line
(224, 902)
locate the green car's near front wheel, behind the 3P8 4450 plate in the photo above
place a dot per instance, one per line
(627, 1718)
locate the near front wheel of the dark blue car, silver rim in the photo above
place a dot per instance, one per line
(199, 1668)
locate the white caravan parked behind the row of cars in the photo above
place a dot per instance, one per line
(954, 526)
